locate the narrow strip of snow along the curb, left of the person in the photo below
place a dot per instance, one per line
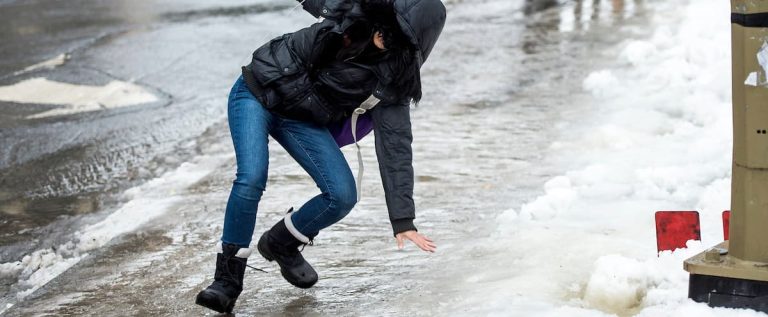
(145, 203)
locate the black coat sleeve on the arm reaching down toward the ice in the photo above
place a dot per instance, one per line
(392, 127)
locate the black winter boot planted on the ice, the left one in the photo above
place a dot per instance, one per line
(228, 280)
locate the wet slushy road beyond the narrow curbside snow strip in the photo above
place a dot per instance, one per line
(59, 167)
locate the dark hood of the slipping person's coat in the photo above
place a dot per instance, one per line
(421, 21)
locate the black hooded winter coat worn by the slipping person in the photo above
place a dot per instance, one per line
(283, 77)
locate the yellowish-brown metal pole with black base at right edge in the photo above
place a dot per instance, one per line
(735, 273)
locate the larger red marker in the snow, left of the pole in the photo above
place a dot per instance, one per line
(675, 228)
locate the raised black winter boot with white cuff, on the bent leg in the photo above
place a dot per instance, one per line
(278, 244)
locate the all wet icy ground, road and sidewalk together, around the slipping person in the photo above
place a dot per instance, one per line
(501, 78)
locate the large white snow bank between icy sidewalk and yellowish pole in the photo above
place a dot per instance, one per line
(658, 137)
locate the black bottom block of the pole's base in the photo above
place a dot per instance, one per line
(718, 291)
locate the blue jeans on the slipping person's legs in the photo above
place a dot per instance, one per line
(312, 146)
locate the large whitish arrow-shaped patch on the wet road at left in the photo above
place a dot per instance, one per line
(74, 98)
